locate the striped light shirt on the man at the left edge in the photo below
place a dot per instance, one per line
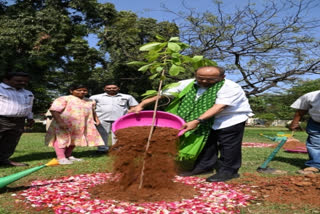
(15, 102)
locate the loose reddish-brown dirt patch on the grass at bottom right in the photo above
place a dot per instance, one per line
(300, 190)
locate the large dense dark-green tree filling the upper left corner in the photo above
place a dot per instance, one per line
(46, 39)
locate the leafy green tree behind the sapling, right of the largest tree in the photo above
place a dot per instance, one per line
(121, 41)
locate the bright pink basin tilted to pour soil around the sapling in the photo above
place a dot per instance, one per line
(144, 118)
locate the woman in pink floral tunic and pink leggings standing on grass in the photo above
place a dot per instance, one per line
(73, 124)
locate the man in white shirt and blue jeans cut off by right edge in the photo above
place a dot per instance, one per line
(309, 103)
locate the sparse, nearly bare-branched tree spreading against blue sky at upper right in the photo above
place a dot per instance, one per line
(263, 45)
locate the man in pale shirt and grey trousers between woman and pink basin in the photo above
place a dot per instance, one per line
(110, 106)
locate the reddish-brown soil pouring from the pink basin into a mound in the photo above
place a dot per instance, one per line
(160, 168)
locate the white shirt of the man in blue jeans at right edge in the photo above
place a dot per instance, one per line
(310, 102)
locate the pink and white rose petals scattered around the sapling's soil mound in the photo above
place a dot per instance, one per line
(70, 195)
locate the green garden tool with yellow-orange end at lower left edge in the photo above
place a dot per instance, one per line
(4, 181)
